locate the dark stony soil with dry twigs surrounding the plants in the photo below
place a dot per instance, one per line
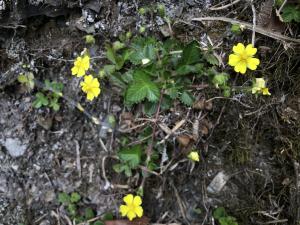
(252, 142)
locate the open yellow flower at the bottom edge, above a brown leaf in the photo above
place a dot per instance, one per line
(132, 208)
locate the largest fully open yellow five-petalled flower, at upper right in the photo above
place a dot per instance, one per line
(243, 58)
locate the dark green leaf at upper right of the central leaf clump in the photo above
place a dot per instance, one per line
(191, 54)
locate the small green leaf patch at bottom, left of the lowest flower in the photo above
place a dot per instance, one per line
(78, 213)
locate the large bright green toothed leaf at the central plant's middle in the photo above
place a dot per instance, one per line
(141, 88)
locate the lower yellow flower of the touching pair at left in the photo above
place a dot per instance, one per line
(91, 87)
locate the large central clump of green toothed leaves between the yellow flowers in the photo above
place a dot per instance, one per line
(147, 69)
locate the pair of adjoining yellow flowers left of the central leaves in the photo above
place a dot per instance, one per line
(89, 85)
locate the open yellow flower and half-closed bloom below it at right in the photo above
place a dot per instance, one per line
(243, 59)
